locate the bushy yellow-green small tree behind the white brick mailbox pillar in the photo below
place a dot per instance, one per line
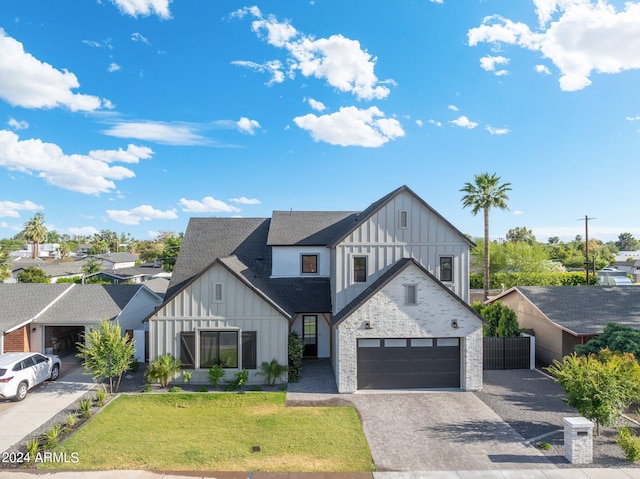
(599, 387)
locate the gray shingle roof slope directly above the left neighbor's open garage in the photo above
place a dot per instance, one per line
(90, 303)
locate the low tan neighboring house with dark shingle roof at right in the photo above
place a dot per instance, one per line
(561, 317)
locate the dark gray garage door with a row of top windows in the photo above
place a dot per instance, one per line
(408, 363)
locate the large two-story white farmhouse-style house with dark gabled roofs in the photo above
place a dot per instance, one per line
(383, 293)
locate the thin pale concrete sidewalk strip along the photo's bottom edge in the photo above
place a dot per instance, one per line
(584, 473)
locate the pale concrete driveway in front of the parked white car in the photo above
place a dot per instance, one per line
(40, 405)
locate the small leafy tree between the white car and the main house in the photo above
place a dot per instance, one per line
(106, 353)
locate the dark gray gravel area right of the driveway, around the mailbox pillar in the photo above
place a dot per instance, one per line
(531, 402)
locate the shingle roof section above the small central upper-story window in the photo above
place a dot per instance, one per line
(308, 228)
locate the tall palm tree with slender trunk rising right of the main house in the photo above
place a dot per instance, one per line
(485, 193)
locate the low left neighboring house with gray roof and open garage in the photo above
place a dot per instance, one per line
(51, 318)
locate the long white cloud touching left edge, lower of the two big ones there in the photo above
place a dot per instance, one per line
(90, 174)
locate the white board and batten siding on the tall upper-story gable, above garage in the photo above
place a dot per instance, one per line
(380, 238)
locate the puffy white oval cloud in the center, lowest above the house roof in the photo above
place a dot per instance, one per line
(352, 126)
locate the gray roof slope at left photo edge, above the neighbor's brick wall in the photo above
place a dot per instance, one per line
(20, 302)
